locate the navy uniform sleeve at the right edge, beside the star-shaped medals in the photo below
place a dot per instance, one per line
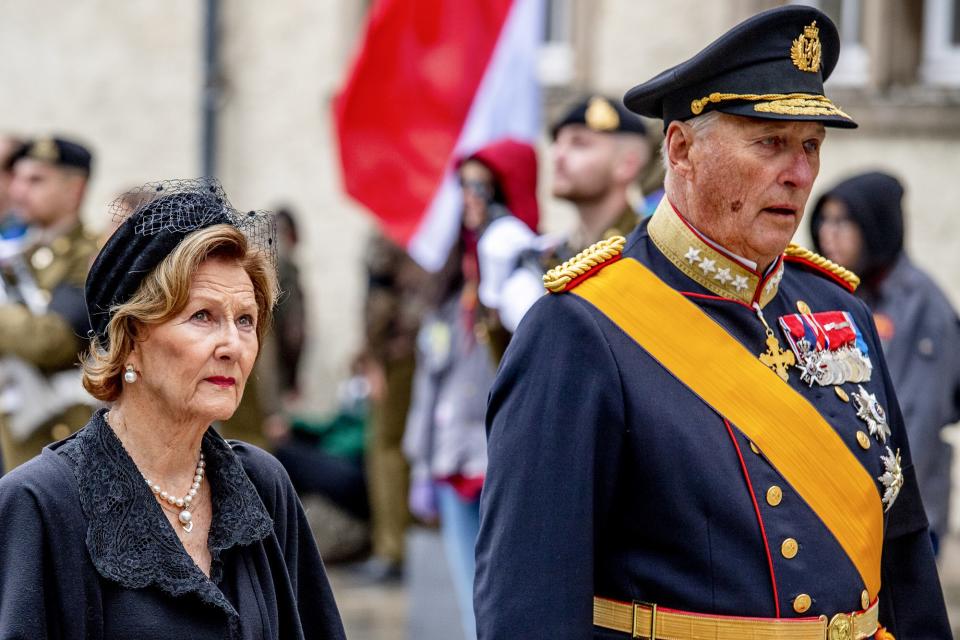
(911, 599)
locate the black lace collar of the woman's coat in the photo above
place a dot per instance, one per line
(129, 538)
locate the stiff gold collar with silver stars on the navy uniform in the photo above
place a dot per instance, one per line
(706, 265)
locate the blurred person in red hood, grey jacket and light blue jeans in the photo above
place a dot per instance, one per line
(445, 438)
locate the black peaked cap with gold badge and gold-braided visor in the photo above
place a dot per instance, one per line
(770, 66)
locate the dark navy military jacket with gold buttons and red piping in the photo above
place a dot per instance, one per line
(608, 477)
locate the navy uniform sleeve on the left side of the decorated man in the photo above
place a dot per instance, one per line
(555, 423)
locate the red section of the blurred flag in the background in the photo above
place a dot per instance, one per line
(406, 99)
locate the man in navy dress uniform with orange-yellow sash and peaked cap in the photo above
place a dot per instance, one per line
(696, 436)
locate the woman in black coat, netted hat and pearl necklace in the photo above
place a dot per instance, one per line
(146, 523)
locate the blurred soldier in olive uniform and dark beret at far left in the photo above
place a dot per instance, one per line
(43, 319)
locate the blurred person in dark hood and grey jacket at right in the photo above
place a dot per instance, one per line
(859, 224)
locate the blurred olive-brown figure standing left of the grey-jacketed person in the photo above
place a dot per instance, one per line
(392, 313)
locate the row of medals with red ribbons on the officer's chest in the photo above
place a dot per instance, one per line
(829, 347)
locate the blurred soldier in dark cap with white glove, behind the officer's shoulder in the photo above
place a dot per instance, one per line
(600, 153)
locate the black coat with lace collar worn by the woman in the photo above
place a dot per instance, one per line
(86, 551)
